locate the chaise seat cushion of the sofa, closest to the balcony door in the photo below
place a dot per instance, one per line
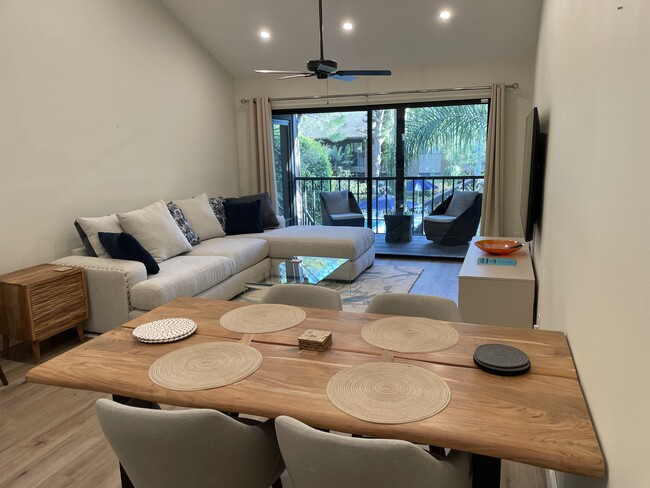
(316, 240)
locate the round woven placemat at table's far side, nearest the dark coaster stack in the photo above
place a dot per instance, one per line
(410, 334)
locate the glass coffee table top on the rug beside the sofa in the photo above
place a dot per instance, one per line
(306, 270)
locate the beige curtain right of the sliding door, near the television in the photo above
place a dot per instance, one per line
(492, 211)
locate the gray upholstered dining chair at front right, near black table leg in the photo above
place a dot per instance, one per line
(318, 459)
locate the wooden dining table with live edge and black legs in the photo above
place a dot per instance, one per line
(538, 418)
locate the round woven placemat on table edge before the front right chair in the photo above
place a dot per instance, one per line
(388, 393)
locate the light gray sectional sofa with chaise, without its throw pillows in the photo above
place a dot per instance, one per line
(217, 267)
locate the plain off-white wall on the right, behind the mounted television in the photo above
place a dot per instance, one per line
(591, 85)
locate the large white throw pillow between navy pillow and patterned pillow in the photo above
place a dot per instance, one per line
(154, 227)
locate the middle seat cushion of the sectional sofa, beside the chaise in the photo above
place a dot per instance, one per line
(242, 252)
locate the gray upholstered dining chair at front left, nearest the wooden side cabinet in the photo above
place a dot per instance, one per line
(197, 447)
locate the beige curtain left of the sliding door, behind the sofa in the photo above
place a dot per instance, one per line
(260, 149)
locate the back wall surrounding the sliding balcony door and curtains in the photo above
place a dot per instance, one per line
(519, 103)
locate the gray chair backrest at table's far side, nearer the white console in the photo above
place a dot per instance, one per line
(428, 306)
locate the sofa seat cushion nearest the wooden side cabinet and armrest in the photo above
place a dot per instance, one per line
(180, 276)
